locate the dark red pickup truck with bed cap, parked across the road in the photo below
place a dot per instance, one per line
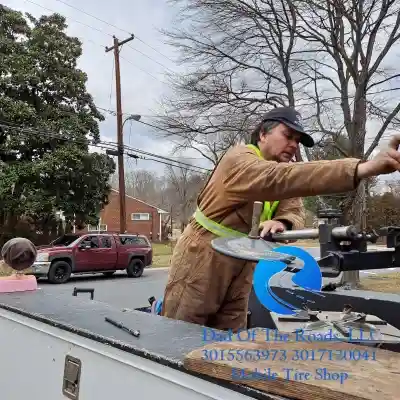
(93, 253)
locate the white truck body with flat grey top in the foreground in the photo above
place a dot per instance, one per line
(80, 323)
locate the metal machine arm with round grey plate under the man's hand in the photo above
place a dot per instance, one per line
(342, 248)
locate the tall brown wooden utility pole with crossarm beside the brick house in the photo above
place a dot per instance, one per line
(120, 137)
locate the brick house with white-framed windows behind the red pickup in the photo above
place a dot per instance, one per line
(141, 217)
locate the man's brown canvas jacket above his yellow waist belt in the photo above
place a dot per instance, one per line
(242, 177)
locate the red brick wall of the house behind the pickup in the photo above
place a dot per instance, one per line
(110, 217)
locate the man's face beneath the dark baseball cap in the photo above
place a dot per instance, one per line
(279, 144)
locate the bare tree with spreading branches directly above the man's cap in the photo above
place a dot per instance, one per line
(241, 53)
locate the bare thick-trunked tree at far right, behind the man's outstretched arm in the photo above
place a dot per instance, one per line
(349, 44)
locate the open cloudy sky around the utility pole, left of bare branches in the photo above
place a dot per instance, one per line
(142, 65)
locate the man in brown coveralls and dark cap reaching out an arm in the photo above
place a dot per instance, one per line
(208, 288)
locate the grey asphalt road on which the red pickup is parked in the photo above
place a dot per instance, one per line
(124, 292)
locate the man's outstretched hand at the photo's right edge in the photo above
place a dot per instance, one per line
(385, 162)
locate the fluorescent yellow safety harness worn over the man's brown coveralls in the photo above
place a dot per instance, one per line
(223, 231)
